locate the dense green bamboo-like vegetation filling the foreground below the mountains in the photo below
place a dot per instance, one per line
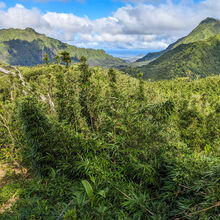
(97, 144)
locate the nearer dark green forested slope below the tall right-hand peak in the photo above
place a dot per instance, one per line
(200, 58)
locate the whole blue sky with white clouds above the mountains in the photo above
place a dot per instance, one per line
(121, 27)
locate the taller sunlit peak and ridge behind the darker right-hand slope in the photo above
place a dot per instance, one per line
(206, 29)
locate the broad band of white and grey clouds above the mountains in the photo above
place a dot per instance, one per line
(142, 25)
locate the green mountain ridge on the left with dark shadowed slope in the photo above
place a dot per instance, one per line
(27, 47)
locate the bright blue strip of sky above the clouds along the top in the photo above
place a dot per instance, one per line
(92, 8)
